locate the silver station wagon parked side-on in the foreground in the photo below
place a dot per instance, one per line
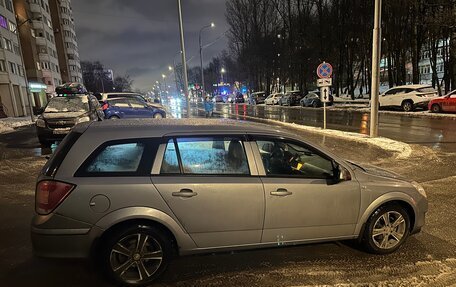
(133, 194)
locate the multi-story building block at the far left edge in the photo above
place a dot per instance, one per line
(14, 100)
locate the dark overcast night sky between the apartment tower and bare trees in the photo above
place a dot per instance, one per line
(141, 37)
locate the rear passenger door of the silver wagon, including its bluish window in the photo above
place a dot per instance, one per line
(211, 185)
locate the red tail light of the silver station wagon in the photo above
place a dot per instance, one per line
(49, 194)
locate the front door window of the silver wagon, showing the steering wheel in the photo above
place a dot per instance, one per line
(287, 159)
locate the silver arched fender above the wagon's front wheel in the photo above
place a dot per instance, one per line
(385, 198)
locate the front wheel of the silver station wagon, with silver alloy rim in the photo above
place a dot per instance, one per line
(386, 230)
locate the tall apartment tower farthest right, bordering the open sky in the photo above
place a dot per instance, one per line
(65, 37)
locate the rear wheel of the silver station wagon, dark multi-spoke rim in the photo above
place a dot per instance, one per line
(122, 258)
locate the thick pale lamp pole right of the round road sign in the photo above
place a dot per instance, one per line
(376, 54)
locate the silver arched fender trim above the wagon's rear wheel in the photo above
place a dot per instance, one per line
(184, 241)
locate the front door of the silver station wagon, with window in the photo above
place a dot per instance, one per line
(304, 201)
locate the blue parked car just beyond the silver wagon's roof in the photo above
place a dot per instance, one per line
(124, 108)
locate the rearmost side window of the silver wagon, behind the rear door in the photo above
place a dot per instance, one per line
(117, 158)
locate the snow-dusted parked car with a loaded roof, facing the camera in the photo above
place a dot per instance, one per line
(63, 112)
